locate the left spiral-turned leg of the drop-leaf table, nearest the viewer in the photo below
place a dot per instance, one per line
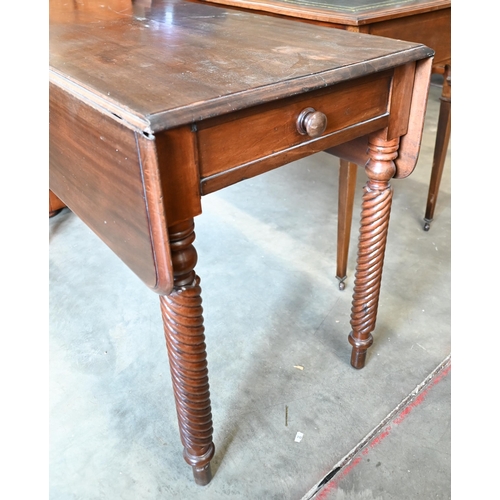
(184, 333)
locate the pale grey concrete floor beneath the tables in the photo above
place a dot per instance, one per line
(271, 304)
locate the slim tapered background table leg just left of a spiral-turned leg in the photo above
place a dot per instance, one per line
(347, 187)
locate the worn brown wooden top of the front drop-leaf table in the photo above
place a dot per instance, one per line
(159, 65)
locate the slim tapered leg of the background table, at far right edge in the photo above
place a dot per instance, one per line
(440, 149)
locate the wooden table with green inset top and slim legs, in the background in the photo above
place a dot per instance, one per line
(424, 21)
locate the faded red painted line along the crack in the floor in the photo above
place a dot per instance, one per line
(322, 495)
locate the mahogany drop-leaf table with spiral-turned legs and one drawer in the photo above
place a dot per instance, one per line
(156, 104)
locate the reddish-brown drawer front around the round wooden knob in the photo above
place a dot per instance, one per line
(253, 134)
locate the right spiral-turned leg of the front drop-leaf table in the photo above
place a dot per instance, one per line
(375, 212)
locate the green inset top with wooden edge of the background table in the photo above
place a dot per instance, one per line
(342, 12)
